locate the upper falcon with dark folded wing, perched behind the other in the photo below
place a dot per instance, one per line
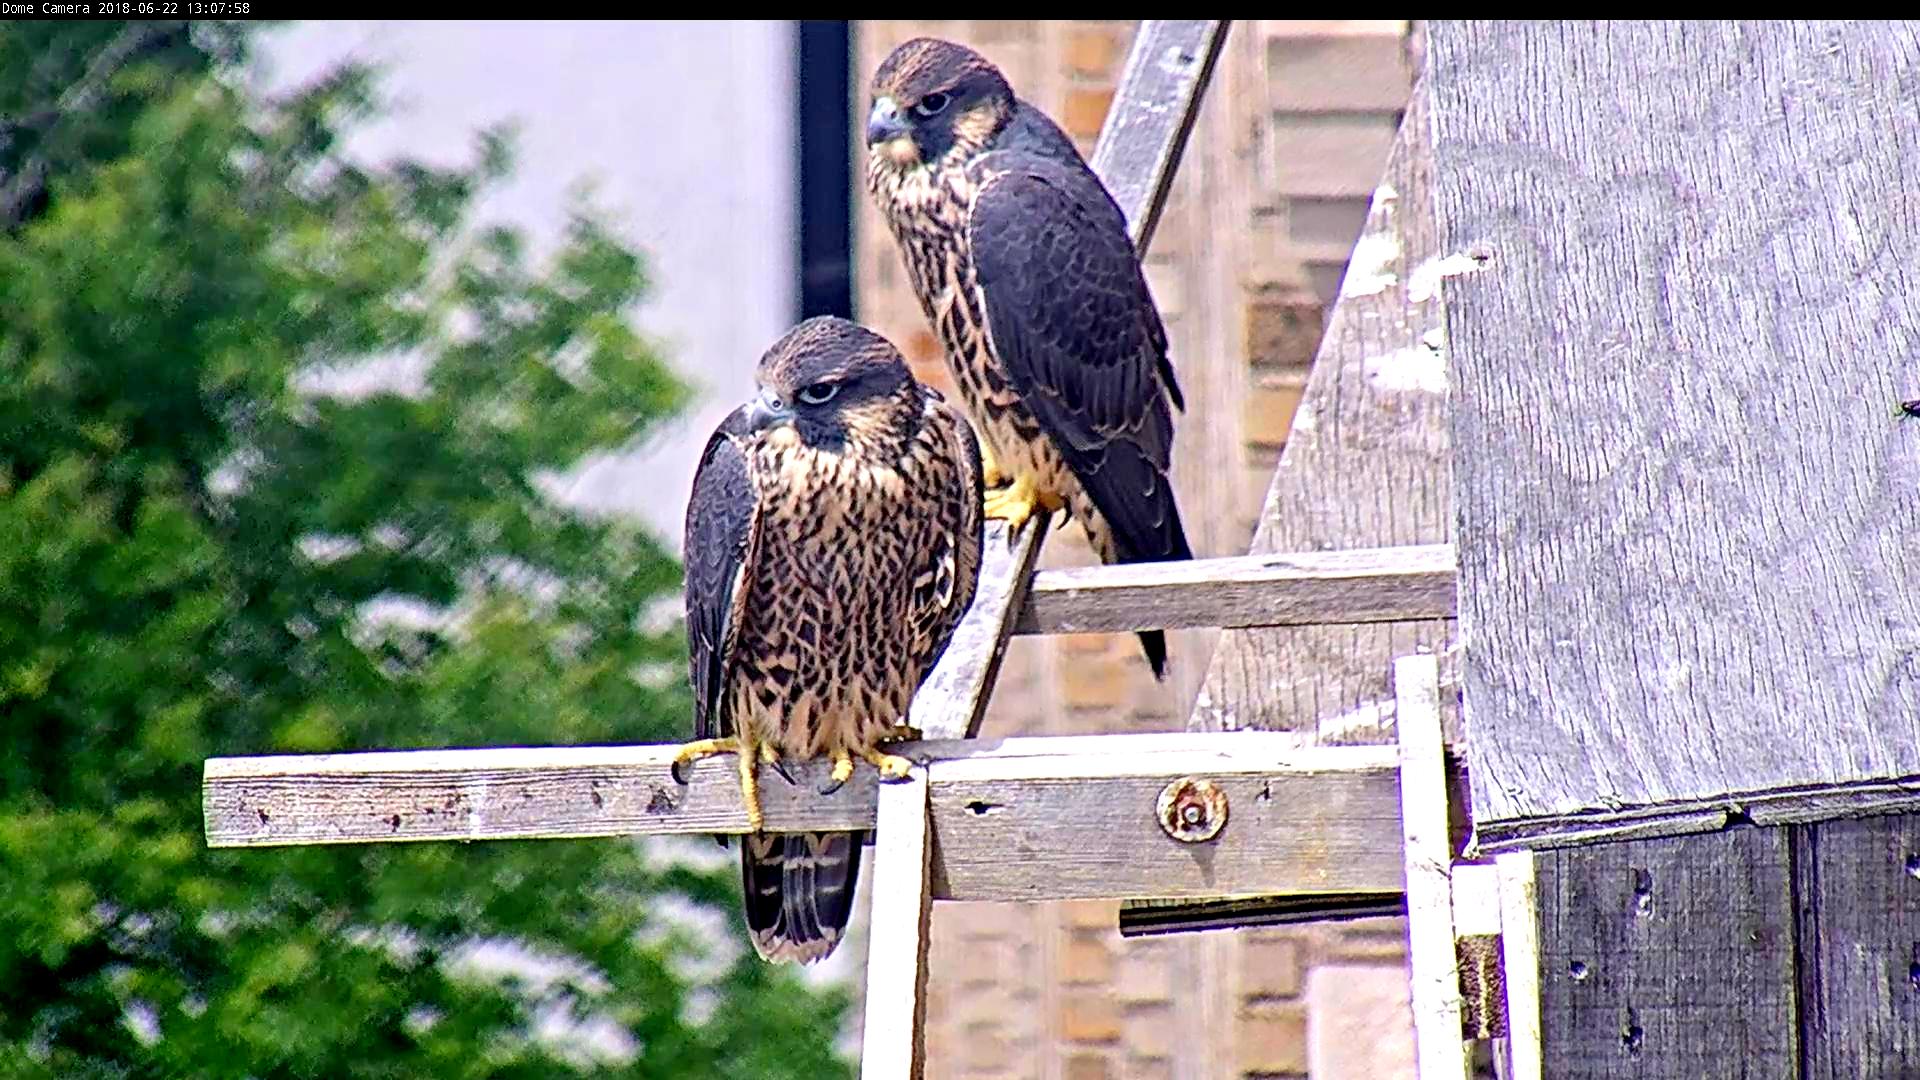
(1022, 264)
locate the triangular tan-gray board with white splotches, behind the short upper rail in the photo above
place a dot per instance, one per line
(1366, 466)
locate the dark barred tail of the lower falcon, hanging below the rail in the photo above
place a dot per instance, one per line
(800, 893)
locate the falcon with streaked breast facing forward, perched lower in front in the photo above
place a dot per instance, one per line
(832, 549)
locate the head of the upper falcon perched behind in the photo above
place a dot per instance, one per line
(934, 99)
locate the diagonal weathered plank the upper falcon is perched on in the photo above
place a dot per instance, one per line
(1138, 155)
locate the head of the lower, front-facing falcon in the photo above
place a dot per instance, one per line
(838, 387)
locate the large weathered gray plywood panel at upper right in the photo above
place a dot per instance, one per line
(1689, 504)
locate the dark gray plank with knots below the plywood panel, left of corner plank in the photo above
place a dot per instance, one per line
(1669, 958)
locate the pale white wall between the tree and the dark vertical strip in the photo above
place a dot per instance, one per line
(686, 130)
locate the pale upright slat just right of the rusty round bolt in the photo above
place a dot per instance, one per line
(1429, 864)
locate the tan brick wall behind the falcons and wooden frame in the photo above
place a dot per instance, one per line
(1249, 255)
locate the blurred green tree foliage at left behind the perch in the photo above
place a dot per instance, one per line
(189, 552)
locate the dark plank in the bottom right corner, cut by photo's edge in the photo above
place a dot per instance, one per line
(1860, 943)
